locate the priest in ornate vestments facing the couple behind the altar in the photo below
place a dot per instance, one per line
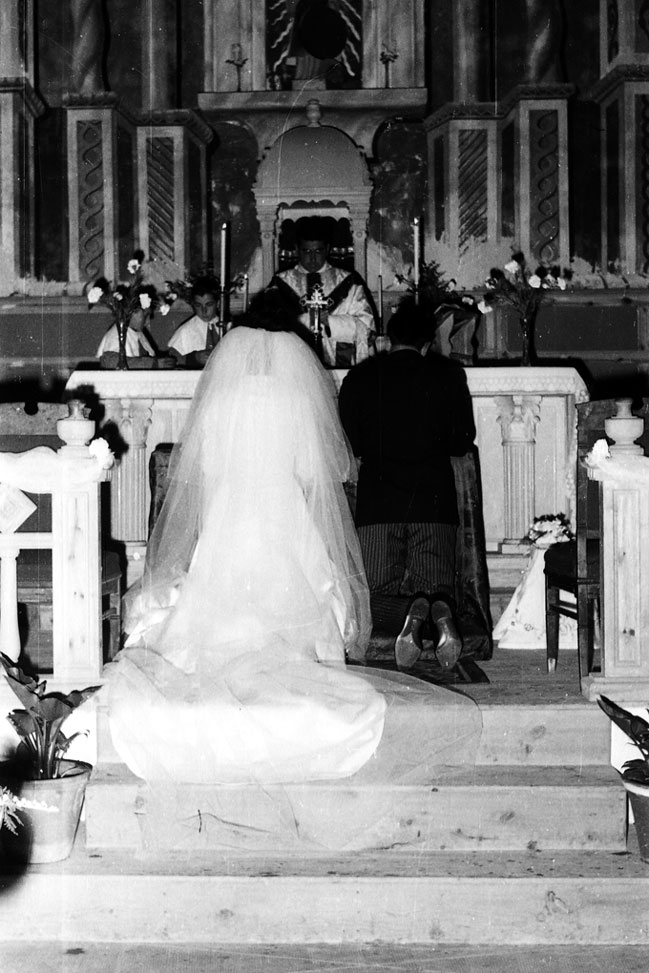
(346, 322)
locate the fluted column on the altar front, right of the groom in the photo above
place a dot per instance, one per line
(518, 416)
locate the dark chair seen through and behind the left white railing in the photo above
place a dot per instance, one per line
(20, 431)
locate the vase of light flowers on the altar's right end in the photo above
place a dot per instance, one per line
(525, 290)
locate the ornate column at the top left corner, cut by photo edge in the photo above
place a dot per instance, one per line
(19, 106)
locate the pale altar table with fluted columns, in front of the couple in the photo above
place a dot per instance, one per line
(526, 437)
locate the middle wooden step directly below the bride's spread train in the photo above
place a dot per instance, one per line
(490, 808)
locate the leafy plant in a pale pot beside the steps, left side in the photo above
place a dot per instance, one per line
(47, 788)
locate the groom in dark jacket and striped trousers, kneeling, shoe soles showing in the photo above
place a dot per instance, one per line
(406, 413)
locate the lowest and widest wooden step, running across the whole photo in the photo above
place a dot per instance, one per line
(526, 899)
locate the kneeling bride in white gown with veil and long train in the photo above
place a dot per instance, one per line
(254, 593)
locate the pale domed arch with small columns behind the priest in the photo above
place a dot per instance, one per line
(313, 170)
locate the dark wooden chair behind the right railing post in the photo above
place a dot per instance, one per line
(574, 567)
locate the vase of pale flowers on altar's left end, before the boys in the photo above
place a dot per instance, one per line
(128, 300)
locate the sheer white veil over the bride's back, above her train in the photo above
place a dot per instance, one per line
(257, 479)
